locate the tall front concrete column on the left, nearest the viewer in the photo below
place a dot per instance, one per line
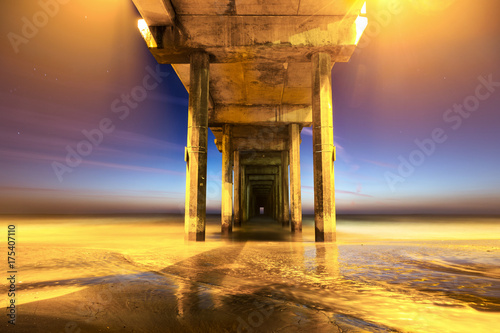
(196, 150)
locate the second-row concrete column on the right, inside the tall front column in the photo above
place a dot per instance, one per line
(296, 207)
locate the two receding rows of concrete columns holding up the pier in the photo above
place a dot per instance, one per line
(245, 200)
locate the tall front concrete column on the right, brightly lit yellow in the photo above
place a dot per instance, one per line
(323, 150)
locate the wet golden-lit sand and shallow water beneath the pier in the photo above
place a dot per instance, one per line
(136, 274)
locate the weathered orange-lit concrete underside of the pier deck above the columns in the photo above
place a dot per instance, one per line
(260, 51)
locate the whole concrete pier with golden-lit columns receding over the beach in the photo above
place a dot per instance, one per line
(270, 77)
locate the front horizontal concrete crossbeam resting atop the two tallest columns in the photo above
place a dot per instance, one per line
(259, 42)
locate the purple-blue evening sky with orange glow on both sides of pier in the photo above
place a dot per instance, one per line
(416, 113)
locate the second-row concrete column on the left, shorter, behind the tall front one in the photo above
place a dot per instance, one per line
(227, 182)
